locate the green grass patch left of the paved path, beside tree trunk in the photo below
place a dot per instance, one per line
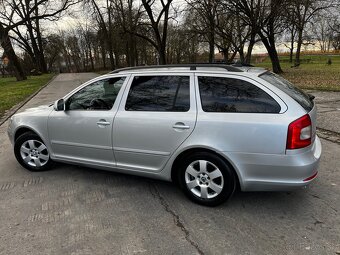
(13, 92)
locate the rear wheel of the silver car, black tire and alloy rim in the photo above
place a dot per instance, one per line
(206, 179)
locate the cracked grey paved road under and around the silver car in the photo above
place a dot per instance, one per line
(74, 210)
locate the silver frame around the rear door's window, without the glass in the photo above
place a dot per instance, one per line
(192, 92)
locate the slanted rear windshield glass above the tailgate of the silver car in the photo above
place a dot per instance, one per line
(297, 94)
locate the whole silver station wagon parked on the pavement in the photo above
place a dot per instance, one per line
(209, 128)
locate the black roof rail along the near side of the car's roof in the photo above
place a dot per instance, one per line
(191, 66)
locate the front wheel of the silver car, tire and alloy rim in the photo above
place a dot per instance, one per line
(32, 153)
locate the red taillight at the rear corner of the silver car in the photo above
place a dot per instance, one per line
(299, 133)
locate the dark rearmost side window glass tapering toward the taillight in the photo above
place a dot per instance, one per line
(219, 94)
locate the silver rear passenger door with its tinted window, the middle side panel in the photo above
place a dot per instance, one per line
(157, 113)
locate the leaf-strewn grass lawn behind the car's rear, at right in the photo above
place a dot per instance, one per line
(313, 73)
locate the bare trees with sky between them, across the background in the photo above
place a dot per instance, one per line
(117, 33)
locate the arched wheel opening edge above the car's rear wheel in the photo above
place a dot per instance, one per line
(183, 154)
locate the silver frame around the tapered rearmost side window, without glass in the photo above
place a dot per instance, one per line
(254, 82)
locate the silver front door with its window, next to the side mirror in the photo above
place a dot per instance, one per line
(83, 131)
